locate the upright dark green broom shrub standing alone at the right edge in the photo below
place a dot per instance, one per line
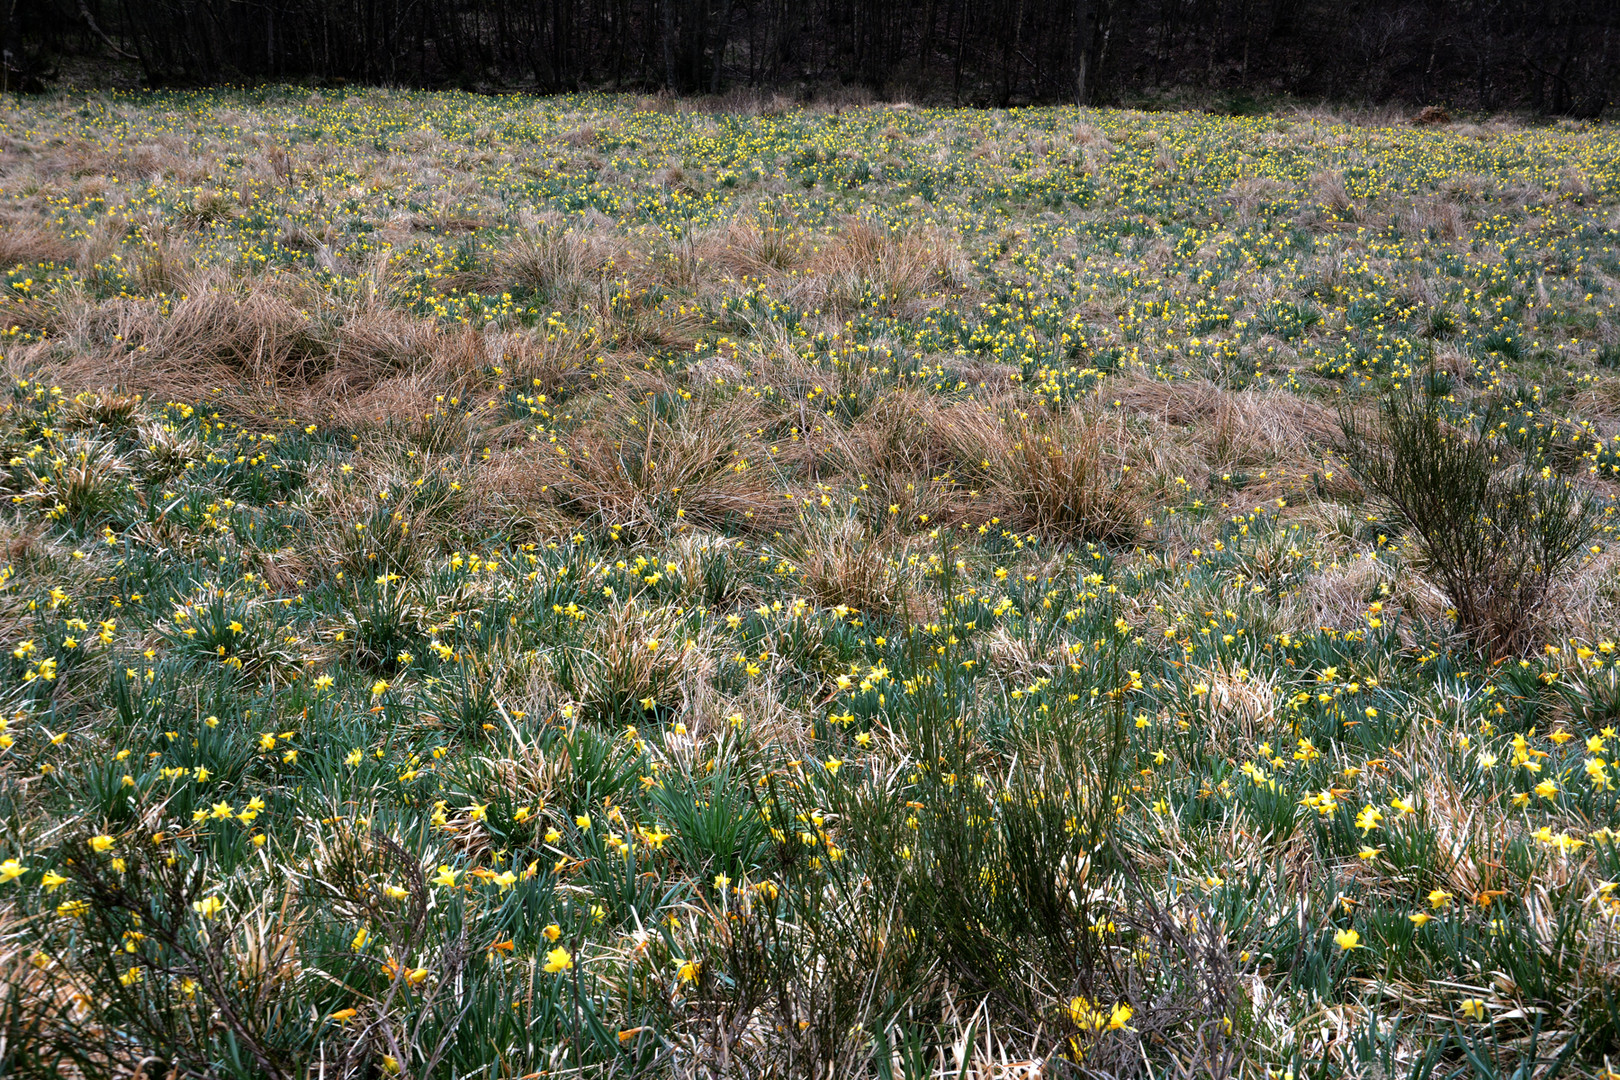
(1494, 537)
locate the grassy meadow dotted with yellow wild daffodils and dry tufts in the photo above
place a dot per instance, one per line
(607, 587)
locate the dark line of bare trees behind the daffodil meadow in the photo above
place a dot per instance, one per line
(1550, 56)
